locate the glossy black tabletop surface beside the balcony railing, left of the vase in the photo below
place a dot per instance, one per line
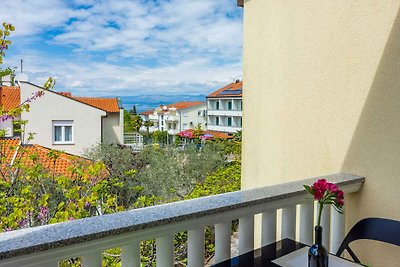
(263, 256)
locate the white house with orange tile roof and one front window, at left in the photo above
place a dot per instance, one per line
(63, 122)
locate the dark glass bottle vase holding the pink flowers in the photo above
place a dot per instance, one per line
(317, 254)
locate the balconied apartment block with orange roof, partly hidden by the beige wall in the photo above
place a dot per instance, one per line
(224, 109)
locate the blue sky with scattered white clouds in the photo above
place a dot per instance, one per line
(112, 47)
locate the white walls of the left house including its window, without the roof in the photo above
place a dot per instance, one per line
(63, 123)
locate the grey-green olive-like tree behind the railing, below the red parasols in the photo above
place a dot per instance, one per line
(172, 173)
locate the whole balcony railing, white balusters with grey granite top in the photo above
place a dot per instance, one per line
(88, 238)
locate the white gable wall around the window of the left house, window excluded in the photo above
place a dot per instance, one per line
(51, 106)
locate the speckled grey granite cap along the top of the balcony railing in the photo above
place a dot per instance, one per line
(35, 239)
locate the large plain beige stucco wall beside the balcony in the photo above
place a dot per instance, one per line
(325, 98)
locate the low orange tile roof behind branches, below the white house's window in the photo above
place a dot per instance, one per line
(11, 152)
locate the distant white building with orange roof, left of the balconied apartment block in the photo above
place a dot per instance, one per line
(176, 117)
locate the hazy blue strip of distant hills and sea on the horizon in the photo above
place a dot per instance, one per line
(147, 102)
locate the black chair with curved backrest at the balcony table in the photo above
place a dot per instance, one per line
(380, 229)
